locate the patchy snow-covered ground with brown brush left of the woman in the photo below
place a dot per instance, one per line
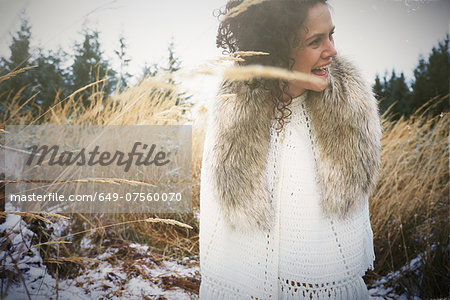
(144, 279)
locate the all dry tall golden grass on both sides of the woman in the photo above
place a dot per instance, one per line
(409, 209)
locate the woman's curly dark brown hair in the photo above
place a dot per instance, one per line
(271, 26)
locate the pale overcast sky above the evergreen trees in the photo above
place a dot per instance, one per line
(378, 35)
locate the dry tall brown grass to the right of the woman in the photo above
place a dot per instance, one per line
(410, 207)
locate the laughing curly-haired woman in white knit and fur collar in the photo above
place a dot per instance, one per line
(288, 165)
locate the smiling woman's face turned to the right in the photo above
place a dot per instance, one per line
(314, 53)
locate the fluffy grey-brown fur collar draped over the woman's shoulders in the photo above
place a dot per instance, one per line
(345, 122)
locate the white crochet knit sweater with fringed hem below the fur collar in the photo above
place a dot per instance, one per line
(306, 255)
